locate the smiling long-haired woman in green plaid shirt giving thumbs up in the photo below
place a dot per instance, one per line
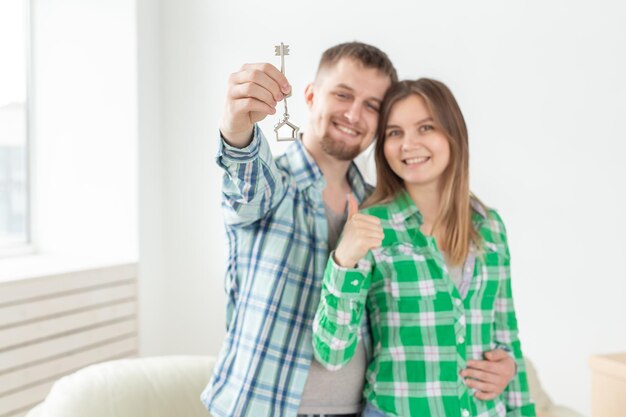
(430, 265)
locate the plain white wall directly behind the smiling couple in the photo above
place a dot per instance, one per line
(541, 85)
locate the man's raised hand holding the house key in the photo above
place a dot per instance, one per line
(253, 93)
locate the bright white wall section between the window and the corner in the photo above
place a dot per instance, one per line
(84, 129)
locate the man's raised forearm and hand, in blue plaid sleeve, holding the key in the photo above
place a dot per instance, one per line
(252, 183)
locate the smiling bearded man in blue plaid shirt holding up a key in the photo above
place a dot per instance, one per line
(283, 217)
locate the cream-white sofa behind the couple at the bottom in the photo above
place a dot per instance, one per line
(169, 386)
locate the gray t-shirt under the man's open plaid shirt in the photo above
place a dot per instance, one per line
(335, 392)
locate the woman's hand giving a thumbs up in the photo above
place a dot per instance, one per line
(361, 233)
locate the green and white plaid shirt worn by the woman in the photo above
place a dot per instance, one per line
(424, 328)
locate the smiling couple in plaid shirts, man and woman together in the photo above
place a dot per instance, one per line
(411, 310)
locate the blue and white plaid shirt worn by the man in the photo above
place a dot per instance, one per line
(278, 249)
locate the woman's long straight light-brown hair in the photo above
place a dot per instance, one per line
(454, 223)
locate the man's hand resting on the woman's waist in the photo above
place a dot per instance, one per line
(491, 376)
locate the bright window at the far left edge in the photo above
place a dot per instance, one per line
(14, 168)
